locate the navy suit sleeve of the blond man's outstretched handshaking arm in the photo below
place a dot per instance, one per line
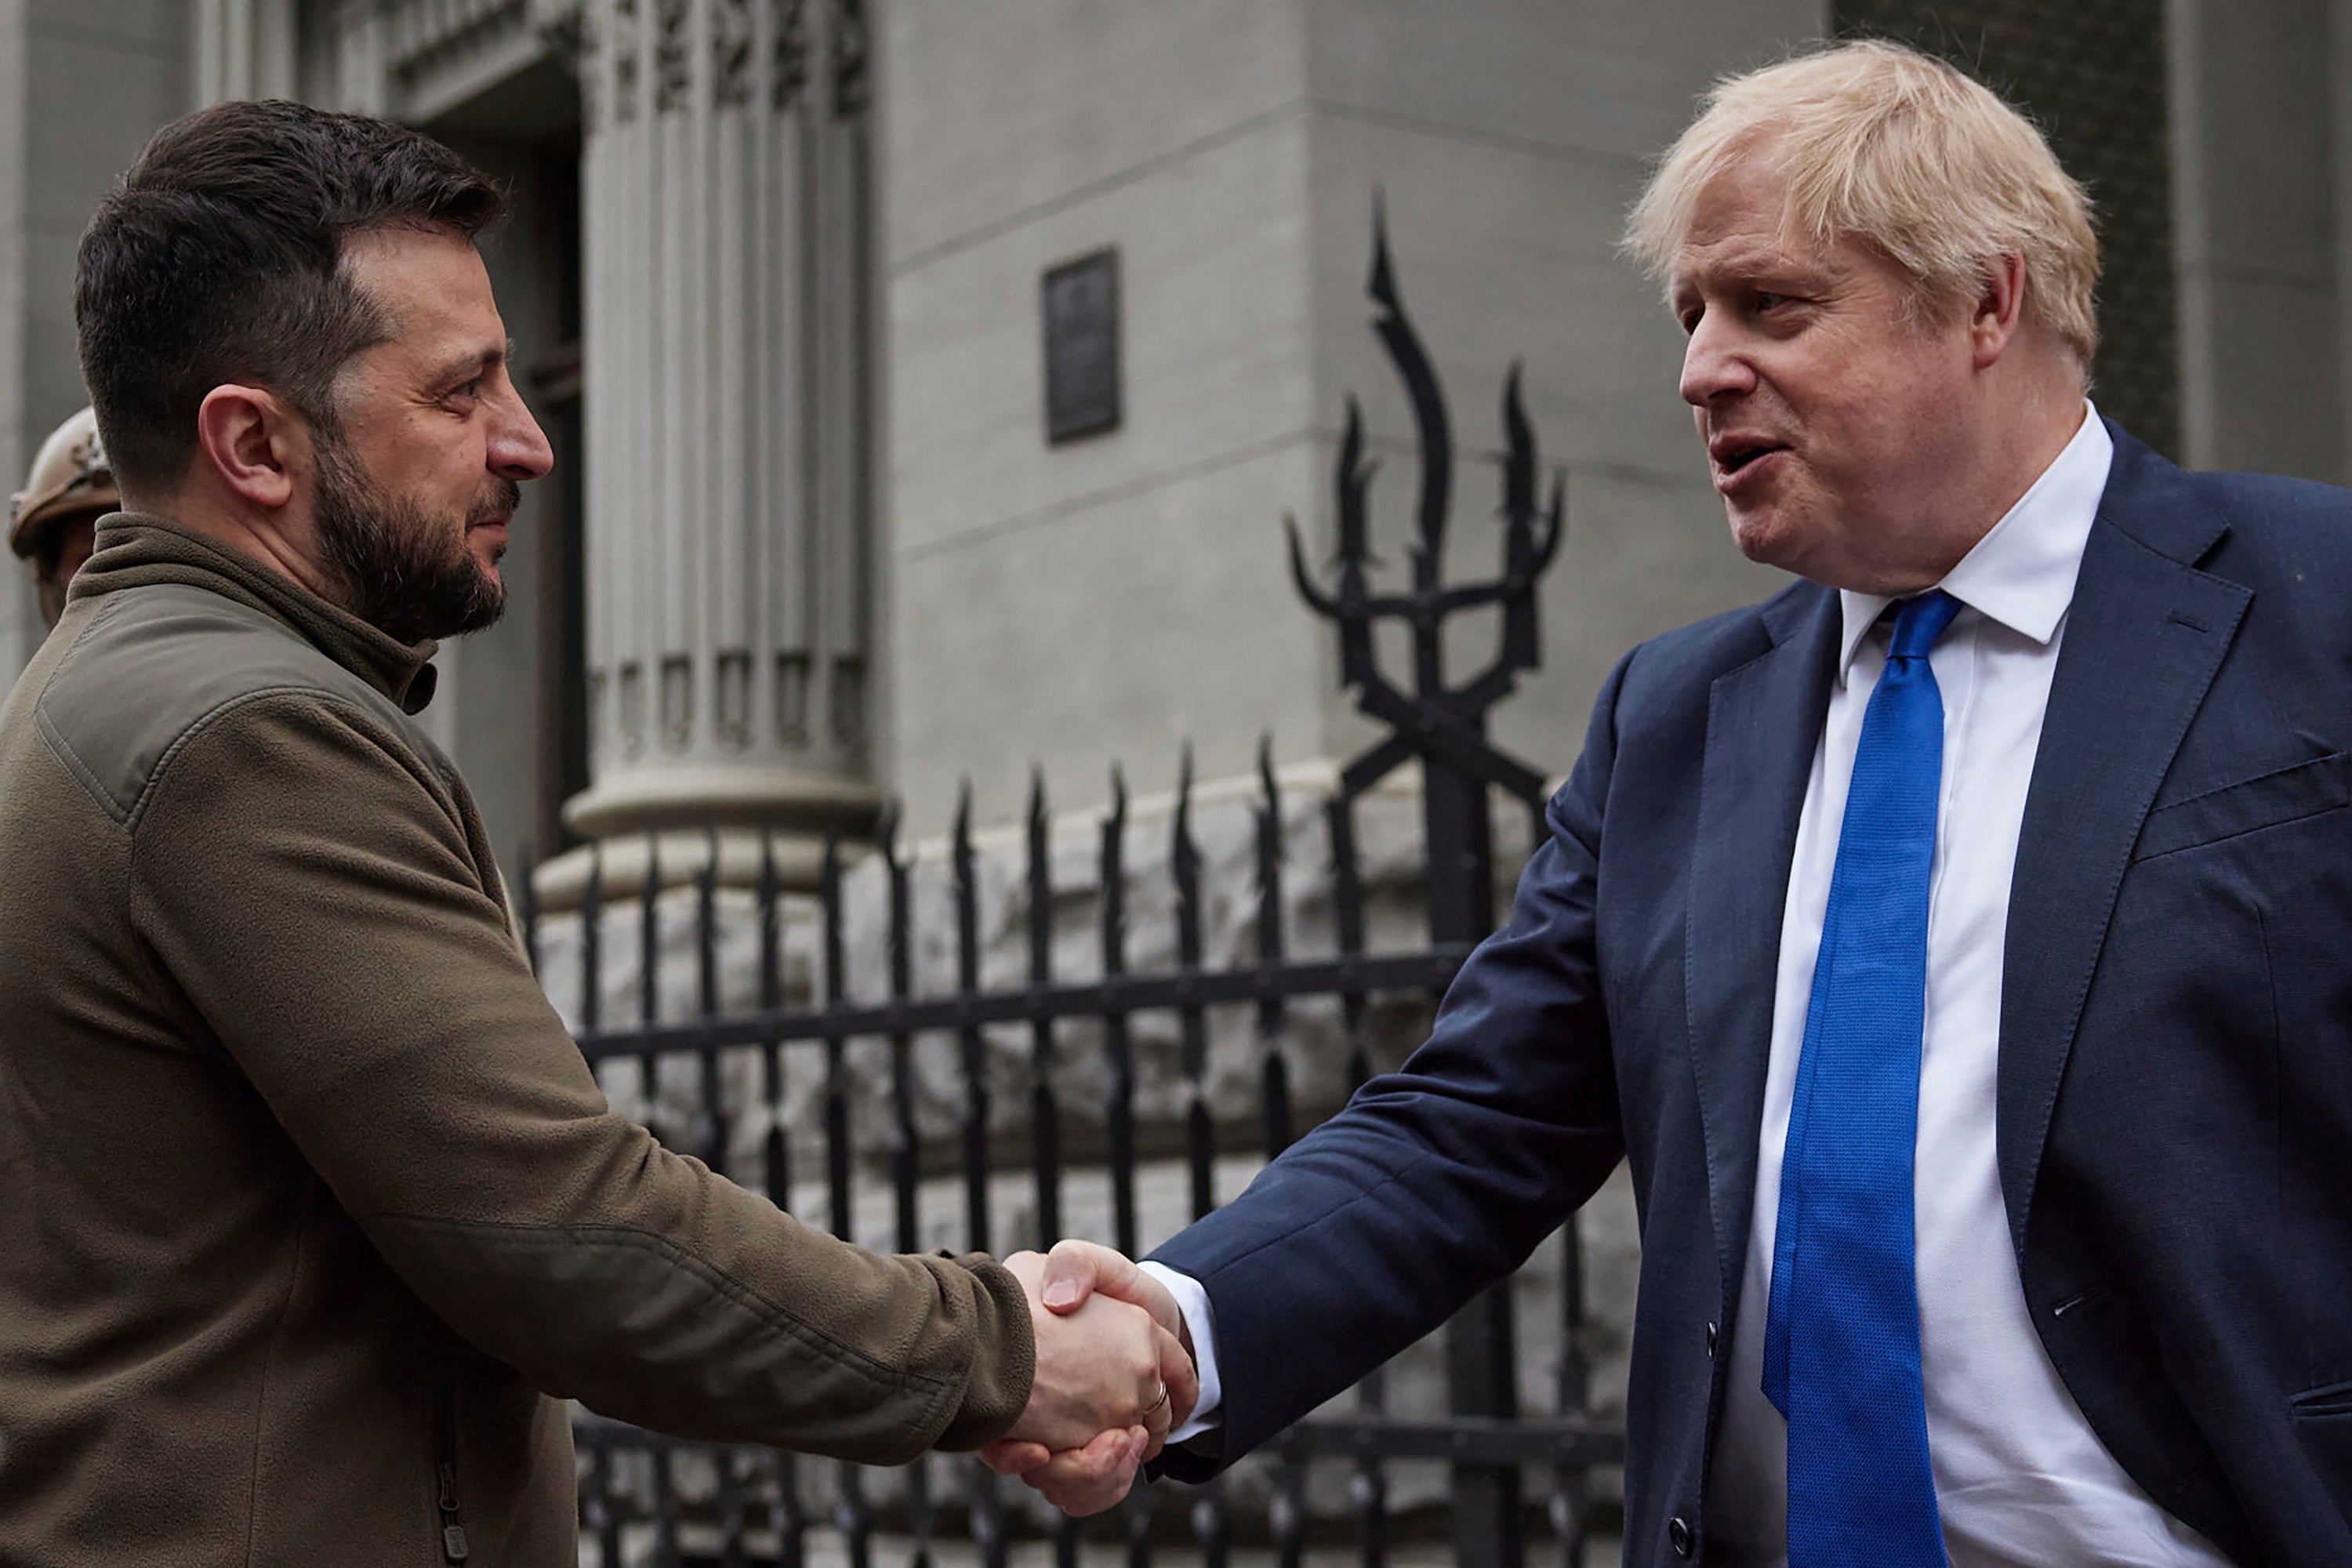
(1441, 1179)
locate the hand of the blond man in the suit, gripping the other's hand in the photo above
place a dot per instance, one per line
(1093, 1477)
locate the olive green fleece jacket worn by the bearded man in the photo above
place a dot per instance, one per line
(309, 1209)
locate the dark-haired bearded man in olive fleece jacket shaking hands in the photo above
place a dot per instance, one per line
(309, 1209)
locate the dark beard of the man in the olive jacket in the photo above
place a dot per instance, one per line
(401, 568)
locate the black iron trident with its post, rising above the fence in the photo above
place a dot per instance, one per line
(1445, 728)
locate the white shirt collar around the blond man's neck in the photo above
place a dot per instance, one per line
(2024, 570)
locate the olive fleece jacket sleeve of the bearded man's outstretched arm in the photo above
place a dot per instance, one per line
(307, 885)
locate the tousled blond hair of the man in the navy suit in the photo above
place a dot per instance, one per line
(1902, 152)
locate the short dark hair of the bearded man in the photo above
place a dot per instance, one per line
(220, 260)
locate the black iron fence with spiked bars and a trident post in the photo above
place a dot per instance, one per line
(1509, 1473)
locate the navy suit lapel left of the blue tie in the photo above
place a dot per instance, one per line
(1763, 730)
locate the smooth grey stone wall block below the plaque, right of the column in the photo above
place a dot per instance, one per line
(1144, 622)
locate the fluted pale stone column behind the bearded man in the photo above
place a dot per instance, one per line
(728, 394)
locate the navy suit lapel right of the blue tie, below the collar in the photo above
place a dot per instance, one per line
(2144, 638)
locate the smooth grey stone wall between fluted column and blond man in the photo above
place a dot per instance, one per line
(1509, 140)
